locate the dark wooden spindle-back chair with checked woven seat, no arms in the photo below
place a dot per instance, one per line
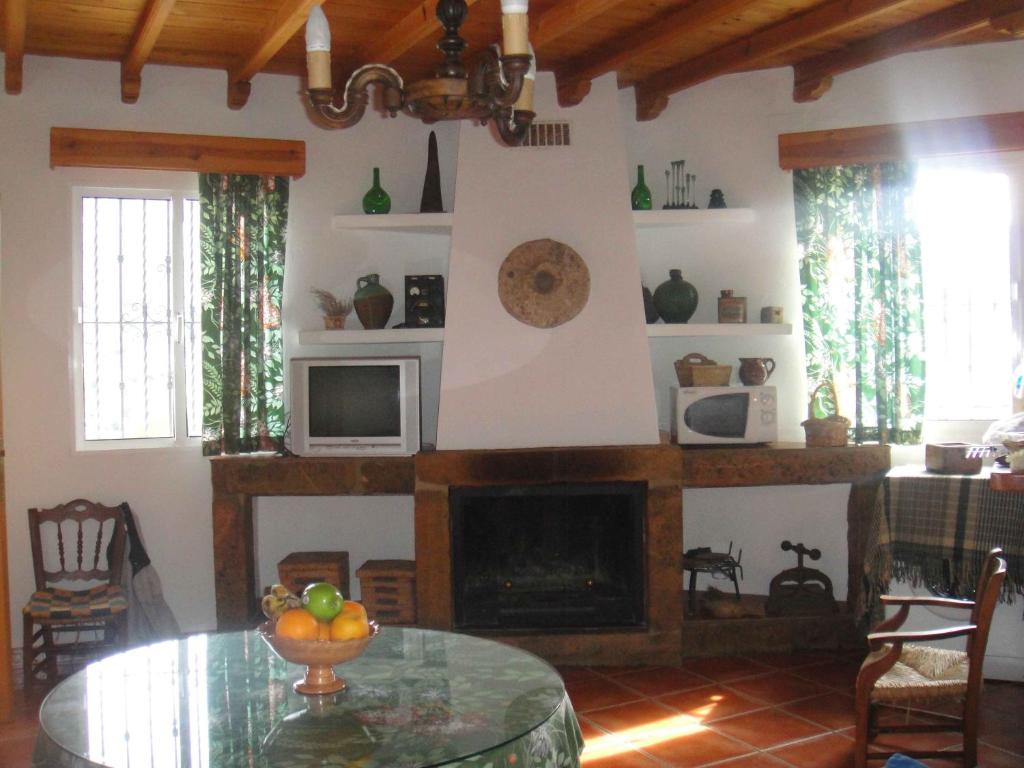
(87, 543)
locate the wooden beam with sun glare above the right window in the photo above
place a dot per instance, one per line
(879, 144)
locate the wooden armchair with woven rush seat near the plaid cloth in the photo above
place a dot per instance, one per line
(901, 674)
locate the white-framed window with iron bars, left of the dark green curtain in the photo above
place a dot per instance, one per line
(139, 352)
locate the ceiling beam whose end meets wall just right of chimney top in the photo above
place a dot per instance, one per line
(748, 53)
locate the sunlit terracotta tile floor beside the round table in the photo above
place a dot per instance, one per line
(773, 711)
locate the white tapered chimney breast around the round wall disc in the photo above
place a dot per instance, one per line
(586, 382)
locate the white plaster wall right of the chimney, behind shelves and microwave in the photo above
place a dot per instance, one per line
(728, 133)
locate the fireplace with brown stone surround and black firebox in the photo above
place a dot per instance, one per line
(538, 500)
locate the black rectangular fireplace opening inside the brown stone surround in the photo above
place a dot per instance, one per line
(561, 557)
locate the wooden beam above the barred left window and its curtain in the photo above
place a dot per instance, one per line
(87, 148)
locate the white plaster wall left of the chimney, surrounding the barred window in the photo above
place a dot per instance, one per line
(169, 490)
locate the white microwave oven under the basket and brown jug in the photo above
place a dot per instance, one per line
(723, 415)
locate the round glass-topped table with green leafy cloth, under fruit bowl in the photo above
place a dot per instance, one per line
(415, 699)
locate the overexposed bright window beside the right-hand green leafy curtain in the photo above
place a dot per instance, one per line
(969, 219)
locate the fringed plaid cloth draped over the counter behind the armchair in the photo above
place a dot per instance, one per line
(937, 530)
